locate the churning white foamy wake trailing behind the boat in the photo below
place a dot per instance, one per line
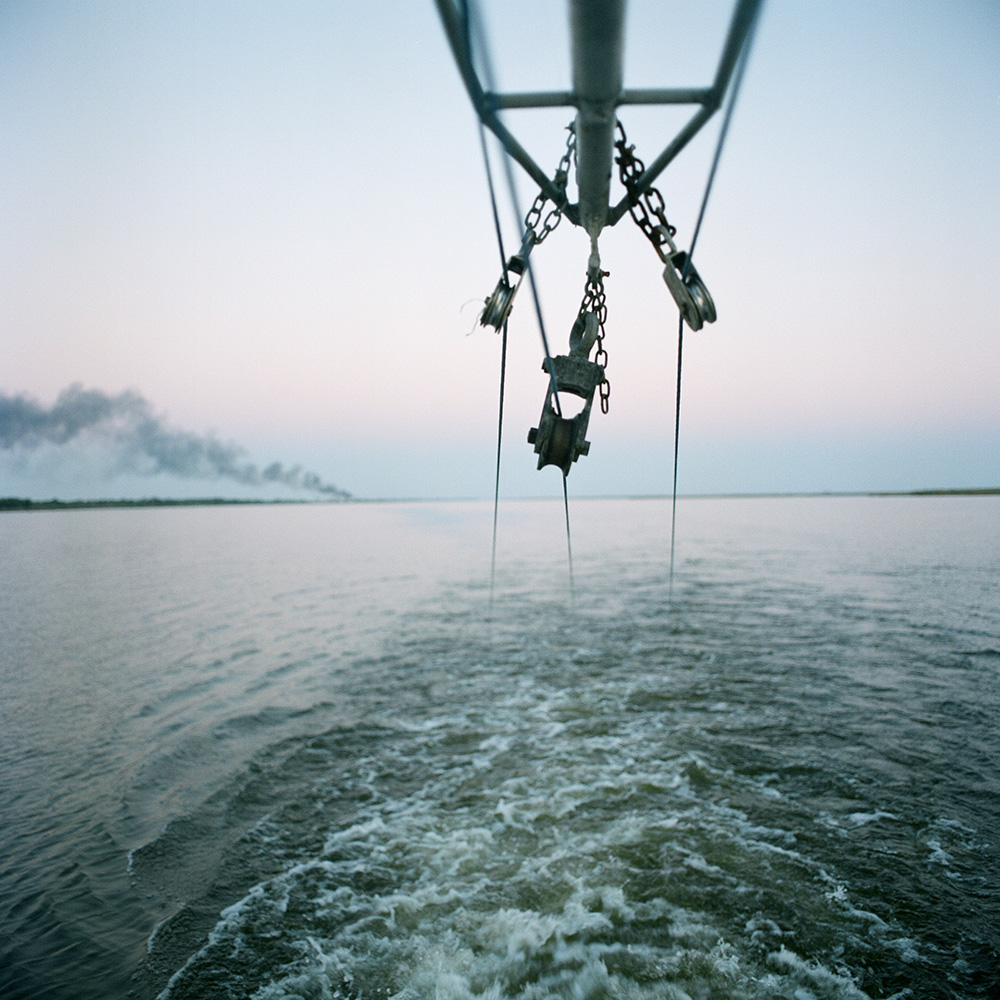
(516, 866)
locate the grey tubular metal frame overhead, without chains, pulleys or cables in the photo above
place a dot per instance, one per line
(597, 30)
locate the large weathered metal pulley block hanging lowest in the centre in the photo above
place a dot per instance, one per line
(559, 440)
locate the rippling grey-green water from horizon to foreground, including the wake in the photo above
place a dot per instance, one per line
(282, 752)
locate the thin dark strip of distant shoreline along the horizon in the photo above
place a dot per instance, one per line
(26, 504)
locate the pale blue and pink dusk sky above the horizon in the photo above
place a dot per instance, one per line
(254, 238)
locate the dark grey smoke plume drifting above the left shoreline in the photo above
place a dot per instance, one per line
(143, 442)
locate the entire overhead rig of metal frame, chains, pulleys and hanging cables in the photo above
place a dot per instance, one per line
(597, 30)
